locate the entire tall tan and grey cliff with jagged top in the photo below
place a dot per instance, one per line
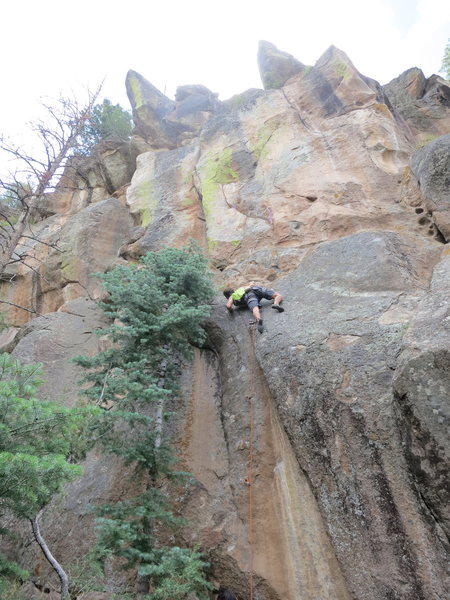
(334, 191)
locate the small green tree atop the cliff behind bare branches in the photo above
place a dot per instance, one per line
(106, 120)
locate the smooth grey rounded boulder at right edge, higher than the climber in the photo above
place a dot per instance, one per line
(431, 167)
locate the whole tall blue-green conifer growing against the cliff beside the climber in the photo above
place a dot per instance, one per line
(157, 309)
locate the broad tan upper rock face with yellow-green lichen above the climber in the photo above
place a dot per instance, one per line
(258, 167)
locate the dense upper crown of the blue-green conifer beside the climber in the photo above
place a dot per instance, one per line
(159, 306)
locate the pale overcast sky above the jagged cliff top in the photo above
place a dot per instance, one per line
(53, 46)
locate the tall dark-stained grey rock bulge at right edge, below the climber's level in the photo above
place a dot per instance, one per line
(421, 384)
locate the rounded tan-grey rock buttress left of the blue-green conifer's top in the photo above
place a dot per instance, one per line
(75, 246)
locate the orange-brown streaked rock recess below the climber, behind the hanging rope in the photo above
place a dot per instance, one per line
(284, 509)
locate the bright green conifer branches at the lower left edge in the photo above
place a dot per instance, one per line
(37, 440)
